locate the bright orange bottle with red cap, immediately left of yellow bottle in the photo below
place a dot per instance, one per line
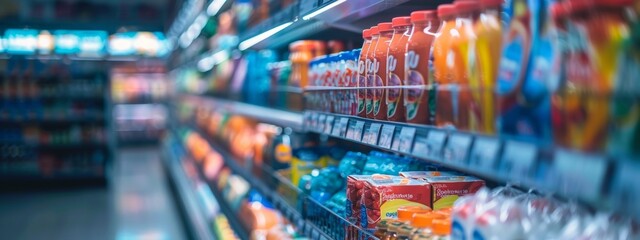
(443, 63)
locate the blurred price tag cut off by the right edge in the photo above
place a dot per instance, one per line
(625, 191)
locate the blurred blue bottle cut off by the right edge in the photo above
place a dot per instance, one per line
(624, 138)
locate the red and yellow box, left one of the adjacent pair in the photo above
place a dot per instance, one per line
(384, 194)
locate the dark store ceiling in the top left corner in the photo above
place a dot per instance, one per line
(109, 15)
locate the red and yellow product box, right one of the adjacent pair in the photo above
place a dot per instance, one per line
(447, 189)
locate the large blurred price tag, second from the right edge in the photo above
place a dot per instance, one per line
(580, 174)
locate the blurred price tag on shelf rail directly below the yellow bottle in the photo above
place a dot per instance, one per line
(484, 153)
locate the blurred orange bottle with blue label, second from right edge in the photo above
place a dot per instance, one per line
(586, 106)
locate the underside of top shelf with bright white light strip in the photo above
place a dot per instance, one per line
(350, 16)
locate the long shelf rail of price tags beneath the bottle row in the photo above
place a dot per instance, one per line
(570, 174)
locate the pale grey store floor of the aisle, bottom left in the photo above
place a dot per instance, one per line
(136, 205)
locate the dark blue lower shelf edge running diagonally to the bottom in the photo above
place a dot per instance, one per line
(314, 220)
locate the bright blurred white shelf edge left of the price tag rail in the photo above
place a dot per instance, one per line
(263, 114)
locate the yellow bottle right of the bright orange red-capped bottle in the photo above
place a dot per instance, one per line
(488, 30)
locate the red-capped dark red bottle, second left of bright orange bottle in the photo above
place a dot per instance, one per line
(395, 68)
